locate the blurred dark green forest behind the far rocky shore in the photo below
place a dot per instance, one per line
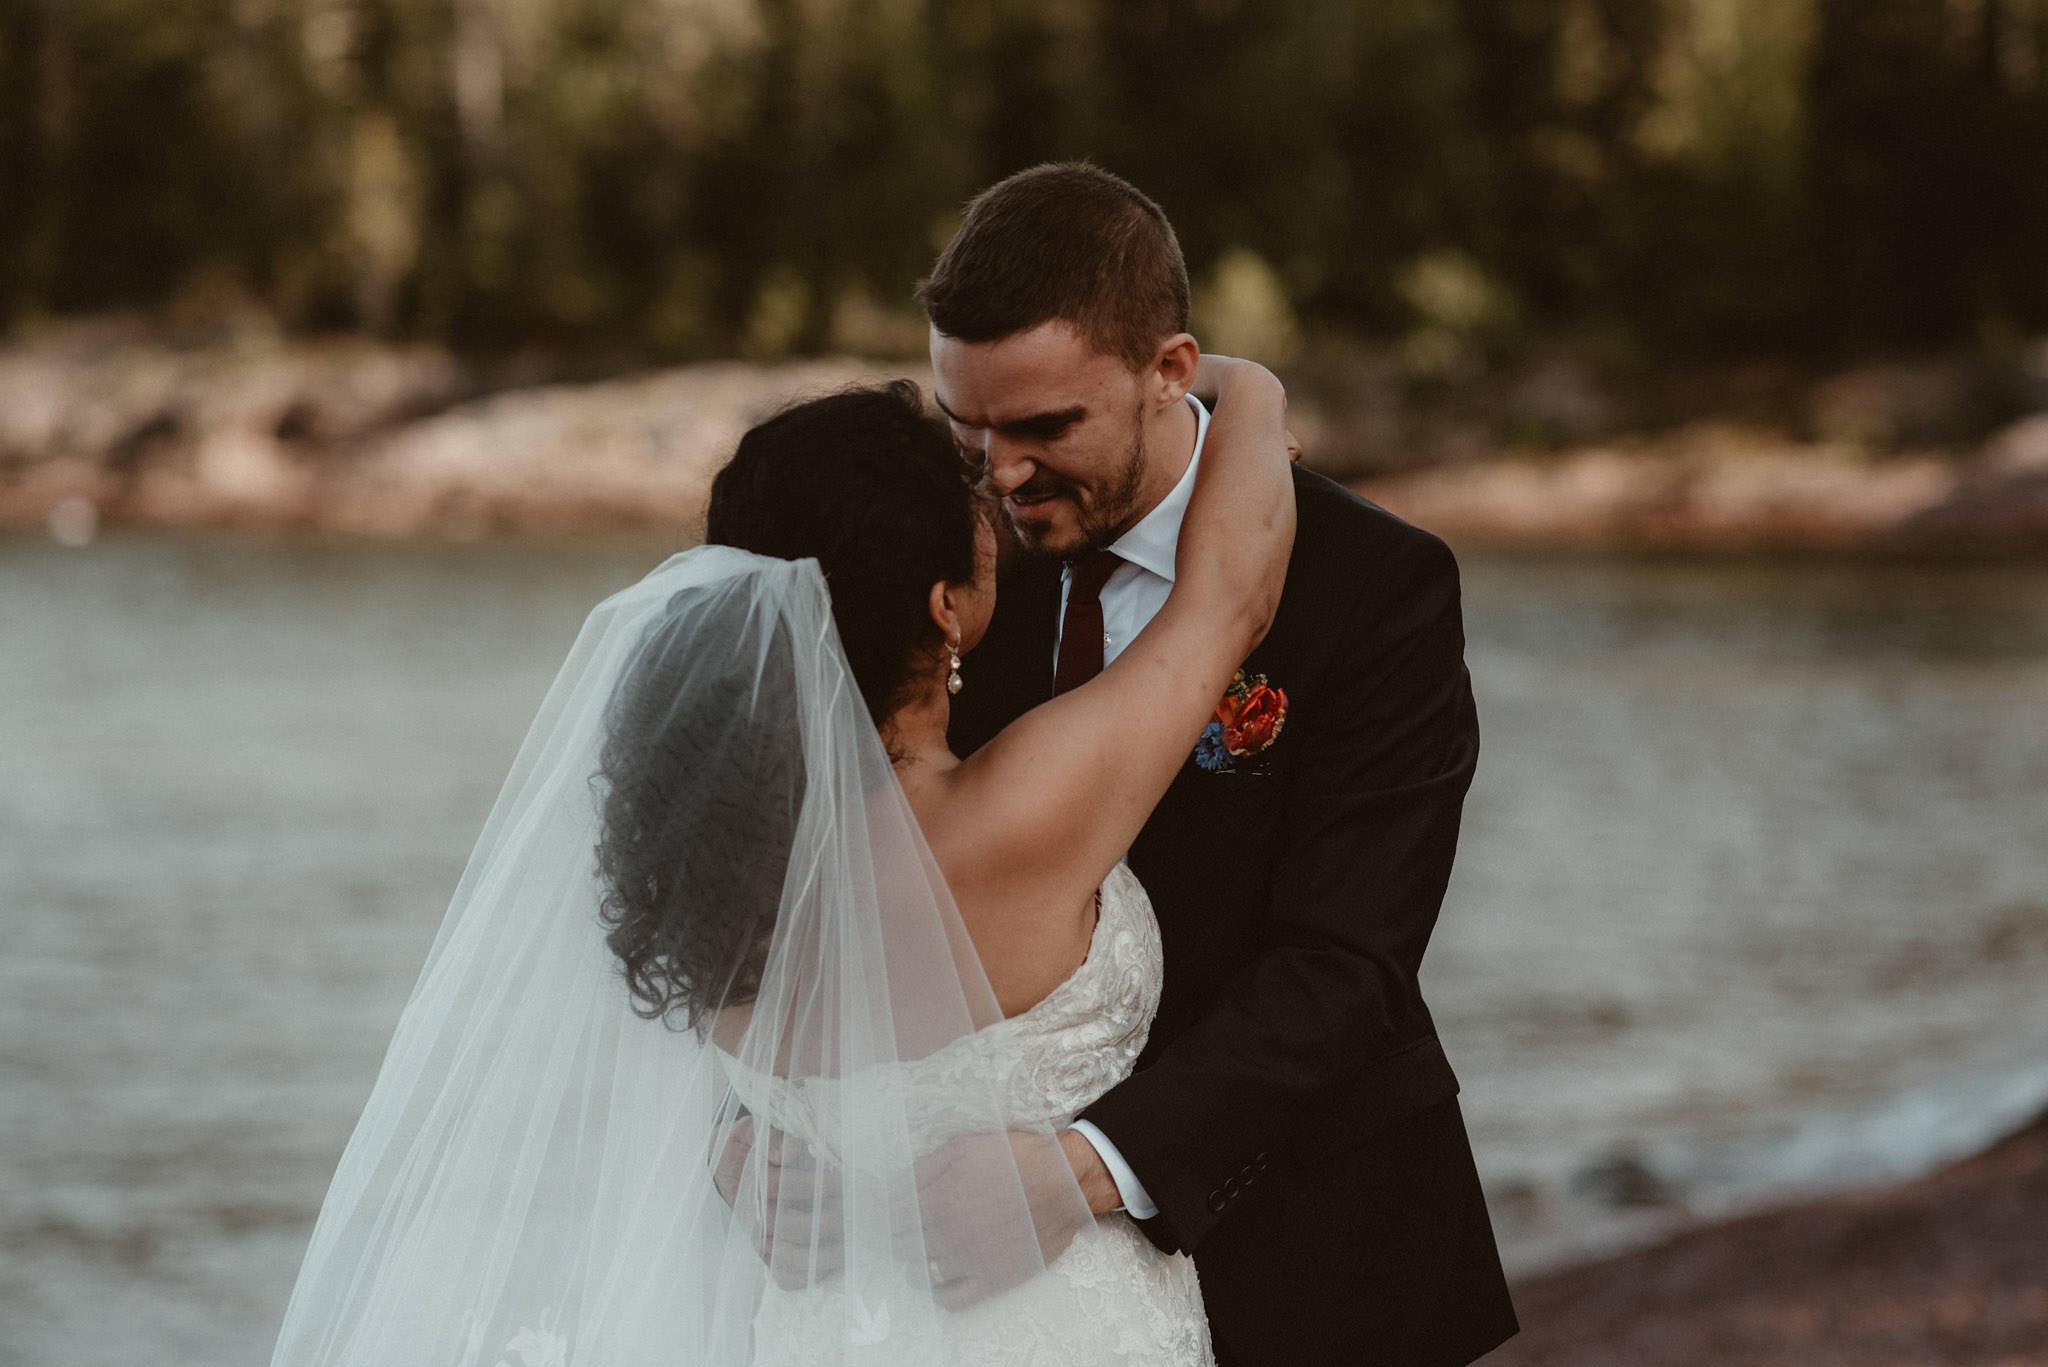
(671, 179)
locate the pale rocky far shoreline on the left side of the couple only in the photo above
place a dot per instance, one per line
(366, 442)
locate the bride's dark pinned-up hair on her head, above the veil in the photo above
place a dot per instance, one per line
(876, 491)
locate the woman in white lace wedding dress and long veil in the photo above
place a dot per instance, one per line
(759, 1016)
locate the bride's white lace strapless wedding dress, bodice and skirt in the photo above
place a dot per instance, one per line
(1111, 1296)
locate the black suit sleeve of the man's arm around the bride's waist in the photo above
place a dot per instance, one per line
(1328, 1011)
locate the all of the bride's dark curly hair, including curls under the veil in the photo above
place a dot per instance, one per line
(699, 784)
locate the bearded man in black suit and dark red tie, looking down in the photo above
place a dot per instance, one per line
(1293, 1122)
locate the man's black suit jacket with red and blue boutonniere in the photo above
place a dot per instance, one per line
(1293, 1114)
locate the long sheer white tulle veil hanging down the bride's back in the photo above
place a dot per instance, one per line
(531, 1182)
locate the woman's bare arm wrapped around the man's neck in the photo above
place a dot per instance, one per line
(1064, 790)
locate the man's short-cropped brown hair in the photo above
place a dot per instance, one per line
(1064, 241)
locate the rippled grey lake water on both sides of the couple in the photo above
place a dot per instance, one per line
(1752, 899)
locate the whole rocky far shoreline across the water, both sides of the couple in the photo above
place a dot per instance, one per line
(110, 427)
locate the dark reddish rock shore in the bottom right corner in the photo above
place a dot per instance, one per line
(1951, 1270)
